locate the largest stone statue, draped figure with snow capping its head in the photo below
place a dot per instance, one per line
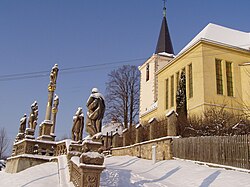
(96, 109)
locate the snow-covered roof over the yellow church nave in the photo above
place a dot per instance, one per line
(222, 35)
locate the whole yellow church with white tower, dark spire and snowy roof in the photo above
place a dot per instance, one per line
(217, 67)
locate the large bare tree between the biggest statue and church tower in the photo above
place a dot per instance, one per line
(122, 94)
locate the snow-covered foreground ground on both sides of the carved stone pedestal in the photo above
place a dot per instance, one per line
(126, 171)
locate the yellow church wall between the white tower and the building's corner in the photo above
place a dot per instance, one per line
(194, 57)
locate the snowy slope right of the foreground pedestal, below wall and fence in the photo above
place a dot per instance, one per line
(128, 171)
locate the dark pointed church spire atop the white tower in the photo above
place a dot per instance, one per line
(164, 43)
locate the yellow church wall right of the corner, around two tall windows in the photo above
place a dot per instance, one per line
(240, 79)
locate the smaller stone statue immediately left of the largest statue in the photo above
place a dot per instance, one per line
(78, 123)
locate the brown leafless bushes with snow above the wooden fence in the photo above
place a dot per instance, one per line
(217, 122)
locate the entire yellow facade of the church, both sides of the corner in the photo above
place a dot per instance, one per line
(201, 59)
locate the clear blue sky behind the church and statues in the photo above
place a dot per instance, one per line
(36, 34)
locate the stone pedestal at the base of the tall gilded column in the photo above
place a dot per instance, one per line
(45, 128)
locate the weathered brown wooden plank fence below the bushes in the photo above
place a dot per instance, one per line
(224, 150)
